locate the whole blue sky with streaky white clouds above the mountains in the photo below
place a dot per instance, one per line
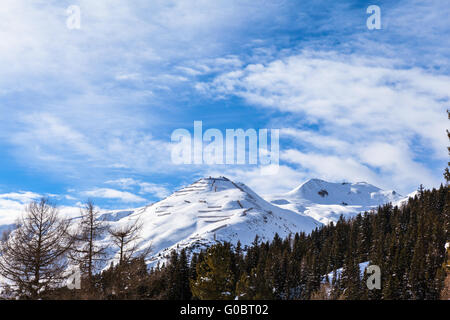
(89, 112)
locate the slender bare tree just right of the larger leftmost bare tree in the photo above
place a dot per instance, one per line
(88, 253)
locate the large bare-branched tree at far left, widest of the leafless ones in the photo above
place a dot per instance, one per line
(34, 256)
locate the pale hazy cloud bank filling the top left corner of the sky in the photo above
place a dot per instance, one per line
(117, 38)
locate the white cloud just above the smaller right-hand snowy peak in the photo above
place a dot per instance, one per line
(385, 164)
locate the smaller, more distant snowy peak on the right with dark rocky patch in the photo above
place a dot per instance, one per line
(327, 201)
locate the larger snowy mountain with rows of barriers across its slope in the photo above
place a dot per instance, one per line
(211, 209)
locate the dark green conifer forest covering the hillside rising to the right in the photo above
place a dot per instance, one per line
(407, 243)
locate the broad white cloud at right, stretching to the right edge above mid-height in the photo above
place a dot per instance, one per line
(345, 92)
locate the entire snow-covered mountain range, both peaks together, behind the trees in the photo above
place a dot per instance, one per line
(218, 209)
